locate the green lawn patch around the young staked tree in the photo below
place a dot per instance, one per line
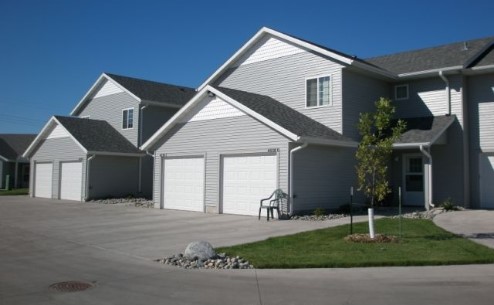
(422, 243)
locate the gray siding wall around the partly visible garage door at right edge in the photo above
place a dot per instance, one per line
(481, 113)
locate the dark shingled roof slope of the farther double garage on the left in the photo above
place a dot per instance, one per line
(97, 135)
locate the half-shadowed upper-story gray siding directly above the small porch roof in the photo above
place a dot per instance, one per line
(428, 97)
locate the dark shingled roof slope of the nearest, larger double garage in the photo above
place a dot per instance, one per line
(284, 116)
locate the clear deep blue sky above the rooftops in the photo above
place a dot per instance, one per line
(52, 51)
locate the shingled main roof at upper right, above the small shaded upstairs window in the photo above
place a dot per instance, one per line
(450, 55)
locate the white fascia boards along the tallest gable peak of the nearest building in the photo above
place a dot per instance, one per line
(263, 31)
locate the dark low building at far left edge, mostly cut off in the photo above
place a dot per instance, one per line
(12, 164)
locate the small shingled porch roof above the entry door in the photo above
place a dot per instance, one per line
(425, 129)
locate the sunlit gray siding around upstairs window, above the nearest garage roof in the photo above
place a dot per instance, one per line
(284, 79)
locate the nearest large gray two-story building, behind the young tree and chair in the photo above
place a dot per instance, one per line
(282, 113)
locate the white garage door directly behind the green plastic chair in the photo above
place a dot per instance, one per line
(246, 180)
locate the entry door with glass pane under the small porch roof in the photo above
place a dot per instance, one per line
(413, 180)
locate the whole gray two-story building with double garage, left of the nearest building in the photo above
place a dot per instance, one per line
(94, 153)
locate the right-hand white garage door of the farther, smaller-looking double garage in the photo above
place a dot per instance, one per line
(71, 181)
